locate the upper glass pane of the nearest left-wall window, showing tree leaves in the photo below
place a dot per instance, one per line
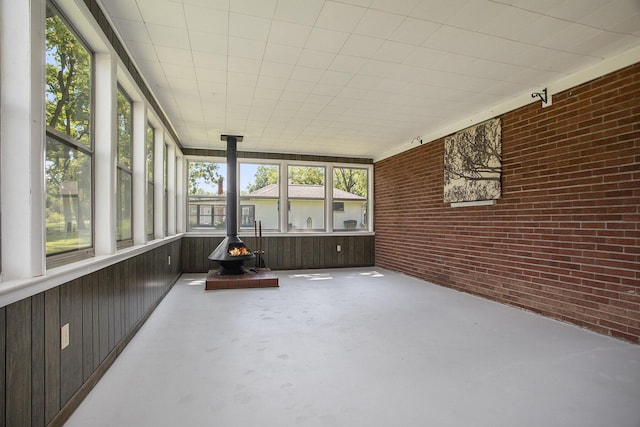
(68, 81)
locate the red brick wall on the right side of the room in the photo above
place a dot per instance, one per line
(564, 239)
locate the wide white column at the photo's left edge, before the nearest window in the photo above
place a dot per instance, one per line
(22, 136)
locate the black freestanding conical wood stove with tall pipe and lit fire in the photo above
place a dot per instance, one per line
(231, 253)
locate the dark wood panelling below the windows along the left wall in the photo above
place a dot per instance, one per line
(40, 384)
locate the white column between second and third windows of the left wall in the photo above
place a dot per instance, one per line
(139, 173)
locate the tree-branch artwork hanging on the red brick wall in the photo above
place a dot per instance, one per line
(473, 163)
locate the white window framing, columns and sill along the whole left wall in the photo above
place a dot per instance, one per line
(22, 46)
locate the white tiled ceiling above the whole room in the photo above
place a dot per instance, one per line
(356, 77)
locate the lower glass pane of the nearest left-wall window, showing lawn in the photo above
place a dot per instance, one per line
(69, 213)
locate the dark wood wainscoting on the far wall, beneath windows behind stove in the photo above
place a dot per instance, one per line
(287, 252)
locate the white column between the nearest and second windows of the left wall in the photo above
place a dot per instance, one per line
(105, 154)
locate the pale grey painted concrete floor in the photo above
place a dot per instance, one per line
(360, 347)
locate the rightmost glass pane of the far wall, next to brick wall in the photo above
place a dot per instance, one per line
(350, 199)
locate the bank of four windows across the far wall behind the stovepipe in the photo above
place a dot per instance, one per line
(307, 206)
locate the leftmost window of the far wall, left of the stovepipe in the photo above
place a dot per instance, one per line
(207, 195)
